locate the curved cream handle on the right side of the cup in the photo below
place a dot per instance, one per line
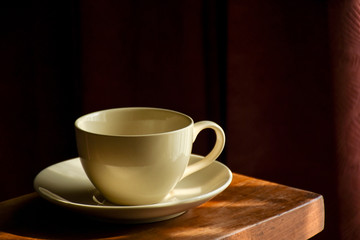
(214, 153)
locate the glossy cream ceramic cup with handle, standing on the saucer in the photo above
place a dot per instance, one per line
(136, 156)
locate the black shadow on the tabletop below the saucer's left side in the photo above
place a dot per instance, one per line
(38, 218)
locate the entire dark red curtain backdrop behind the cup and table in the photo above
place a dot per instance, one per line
(281, 77)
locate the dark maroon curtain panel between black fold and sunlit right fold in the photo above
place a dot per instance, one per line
(280, 119)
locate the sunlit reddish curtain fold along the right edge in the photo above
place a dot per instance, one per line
(345, 43)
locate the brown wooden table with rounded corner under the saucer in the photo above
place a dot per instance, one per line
(248, 209)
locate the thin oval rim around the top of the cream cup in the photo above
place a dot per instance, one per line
(77, 121)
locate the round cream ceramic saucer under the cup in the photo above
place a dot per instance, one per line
(67, 185)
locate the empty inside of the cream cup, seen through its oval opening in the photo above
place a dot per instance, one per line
(133, 121)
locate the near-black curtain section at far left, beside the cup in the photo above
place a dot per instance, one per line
(40, 92)
